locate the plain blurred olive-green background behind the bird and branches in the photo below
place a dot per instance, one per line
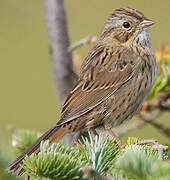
(27, 91)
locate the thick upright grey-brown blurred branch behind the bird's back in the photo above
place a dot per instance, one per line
(62, 65)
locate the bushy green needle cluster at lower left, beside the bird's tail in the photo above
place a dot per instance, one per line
(54, 162)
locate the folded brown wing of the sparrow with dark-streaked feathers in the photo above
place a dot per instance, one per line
(97, 83)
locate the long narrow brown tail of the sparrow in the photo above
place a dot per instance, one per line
(53, 135)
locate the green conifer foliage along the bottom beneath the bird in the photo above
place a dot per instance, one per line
(101, 157)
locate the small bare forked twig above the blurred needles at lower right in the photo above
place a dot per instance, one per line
(159, 147)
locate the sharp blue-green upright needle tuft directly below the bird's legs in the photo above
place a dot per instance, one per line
(101, 152)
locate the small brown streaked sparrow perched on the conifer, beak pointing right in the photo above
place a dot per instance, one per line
(115, 79)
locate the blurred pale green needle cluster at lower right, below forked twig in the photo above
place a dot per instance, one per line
(137, 161)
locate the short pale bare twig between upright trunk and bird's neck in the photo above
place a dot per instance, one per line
(82, 42)
